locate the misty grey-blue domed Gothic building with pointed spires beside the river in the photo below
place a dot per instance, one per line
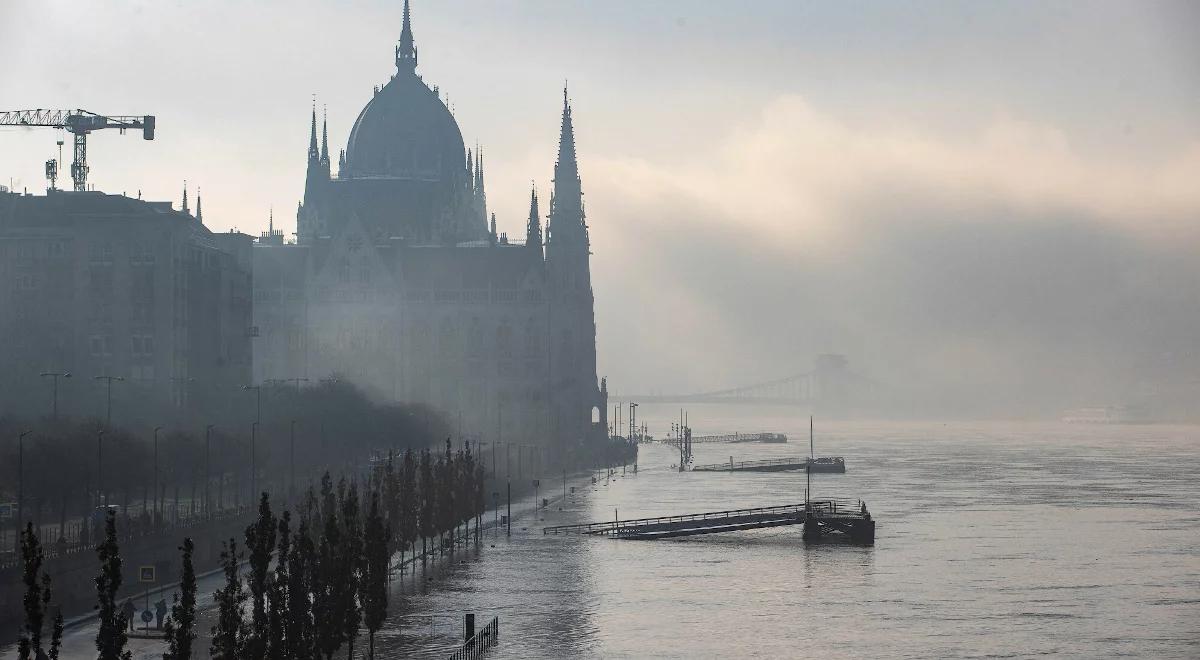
(398, 283)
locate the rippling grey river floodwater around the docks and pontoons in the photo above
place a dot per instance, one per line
(993, 541)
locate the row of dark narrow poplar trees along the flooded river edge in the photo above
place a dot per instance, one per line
(331, 566)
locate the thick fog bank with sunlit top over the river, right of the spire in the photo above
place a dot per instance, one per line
(1001, 274)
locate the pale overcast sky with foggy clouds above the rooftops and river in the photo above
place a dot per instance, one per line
(977, 199)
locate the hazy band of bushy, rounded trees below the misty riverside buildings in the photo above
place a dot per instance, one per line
(70, 466)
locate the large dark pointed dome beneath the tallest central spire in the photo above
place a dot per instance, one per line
(406, 133)
